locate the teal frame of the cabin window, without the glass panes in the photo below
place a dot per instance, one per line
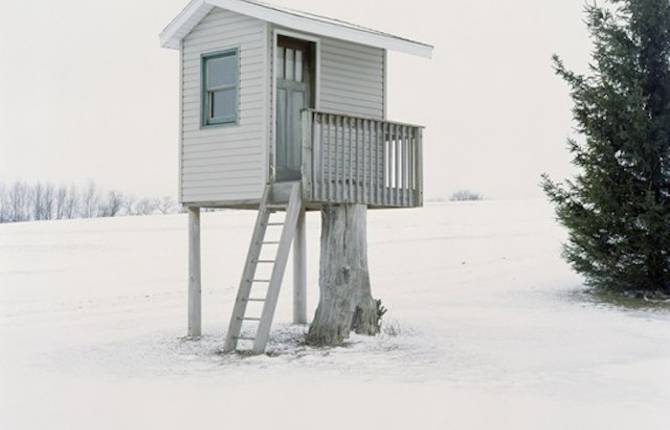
(206, 94)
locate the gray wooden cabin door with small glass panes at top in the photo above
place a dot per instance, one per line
(293, 95)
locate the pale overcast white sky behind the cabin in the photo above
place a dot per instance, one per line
(87, 93)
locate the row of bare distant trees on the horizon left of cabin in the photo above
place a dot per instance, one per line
(22, 201)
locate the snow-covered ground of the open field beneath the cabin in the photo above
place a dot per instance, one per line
(488, 328)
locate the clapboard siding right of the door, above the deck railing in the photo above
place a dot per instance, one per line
(352, 79)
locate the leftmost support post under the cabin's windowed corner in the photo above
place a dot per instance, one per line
(194, 281)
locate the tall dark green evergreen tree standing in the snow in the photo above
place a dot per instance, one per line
(617, 208)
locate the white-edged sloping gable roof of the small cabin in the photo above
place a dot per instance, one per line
(196, 10)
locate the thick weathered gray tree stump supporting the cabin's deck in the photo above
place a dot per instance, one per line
(346, 301)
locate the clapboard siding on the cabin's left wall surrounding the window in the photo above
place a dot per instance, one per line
(227, 163)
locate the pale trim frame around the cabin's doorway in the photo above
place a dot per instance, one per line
(317, 90)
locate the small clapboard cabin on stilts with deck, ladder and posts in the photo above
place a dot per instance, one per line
(283, 112)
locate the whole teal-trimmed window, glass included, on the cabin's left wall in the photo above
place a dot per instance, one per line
(220, 87)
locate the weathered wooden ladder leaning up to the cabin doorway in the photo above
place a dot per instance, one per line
(249, 281)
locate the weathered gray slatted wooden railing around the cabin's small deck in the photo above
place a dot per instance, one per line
(349, 159)
